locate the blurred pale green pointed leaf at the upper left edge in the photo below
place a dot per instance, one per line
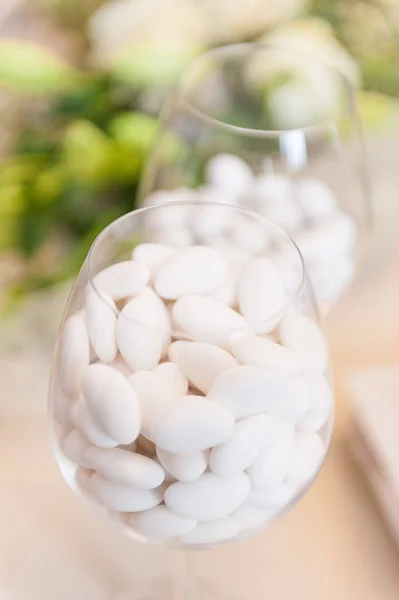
(30, 68)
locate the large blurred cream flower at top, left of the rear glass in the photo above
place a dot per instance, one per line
(147, 41)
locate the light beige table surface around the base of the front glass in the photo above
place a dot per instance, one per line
(333, 545)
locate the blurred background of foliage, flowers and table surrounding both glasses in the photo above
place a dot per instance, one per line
(81, 87)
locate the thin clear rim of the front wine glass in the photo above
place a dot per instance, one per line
(201, 203)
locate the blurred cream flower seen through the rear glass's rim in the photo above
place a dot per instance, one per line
(314, 62)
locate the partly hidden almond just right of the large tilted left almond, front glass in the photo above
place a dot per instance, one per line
(154, 397)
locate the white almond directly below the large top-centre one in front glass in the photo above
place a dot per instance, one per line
(205, 320)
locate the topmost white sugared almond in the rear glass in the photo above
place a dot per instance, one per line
(229, 172)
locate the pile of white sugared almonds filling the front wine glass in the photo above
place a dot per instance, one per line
(189, 421)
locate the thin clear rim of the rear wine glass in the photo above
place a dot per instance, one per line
(323, 124)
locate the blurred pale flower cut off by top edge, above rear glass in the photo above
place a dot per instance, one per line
(237, 20)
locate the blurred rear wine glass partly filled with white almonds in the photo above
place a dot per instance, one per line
(260, 126)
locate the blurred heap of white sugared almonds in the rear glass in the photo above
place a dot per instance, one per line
(306, 208)
